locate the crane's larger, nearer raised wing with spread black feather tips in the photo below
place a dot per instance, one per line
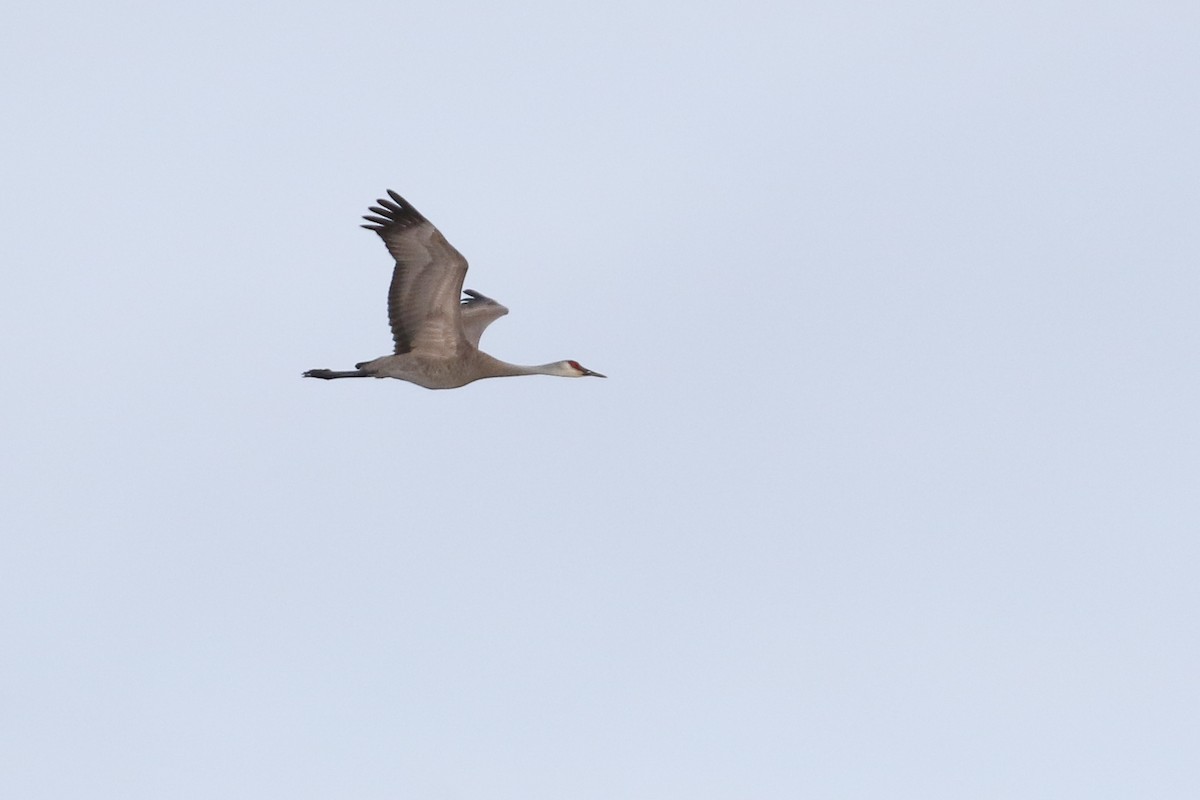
(423, 300)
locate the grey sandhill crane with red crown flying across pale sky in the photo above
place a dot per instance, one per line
(436, 334)
